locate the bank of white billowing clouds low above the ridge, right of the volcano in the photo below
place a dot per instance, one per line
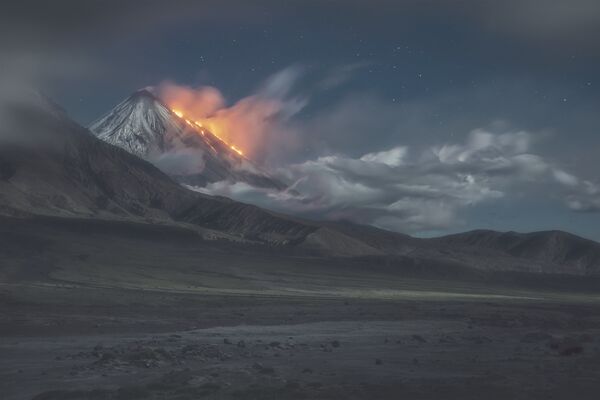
(417, 190)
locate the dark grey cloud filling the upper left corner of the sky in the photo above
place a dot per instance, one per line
(43, 42)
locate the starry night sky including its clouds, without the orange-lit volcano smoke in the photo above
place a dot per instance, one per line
(426, 117)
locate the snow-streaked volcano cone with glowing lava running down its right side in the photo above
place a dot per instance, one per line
(193, 155)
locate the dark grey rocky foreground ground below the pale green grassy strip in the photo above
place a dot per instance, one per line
(218, 347)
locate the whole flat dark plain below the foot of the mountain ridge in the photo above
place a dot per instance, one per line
(142, 313)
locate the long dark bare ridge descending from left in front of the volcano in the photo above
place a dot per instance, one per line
(63, 170)
